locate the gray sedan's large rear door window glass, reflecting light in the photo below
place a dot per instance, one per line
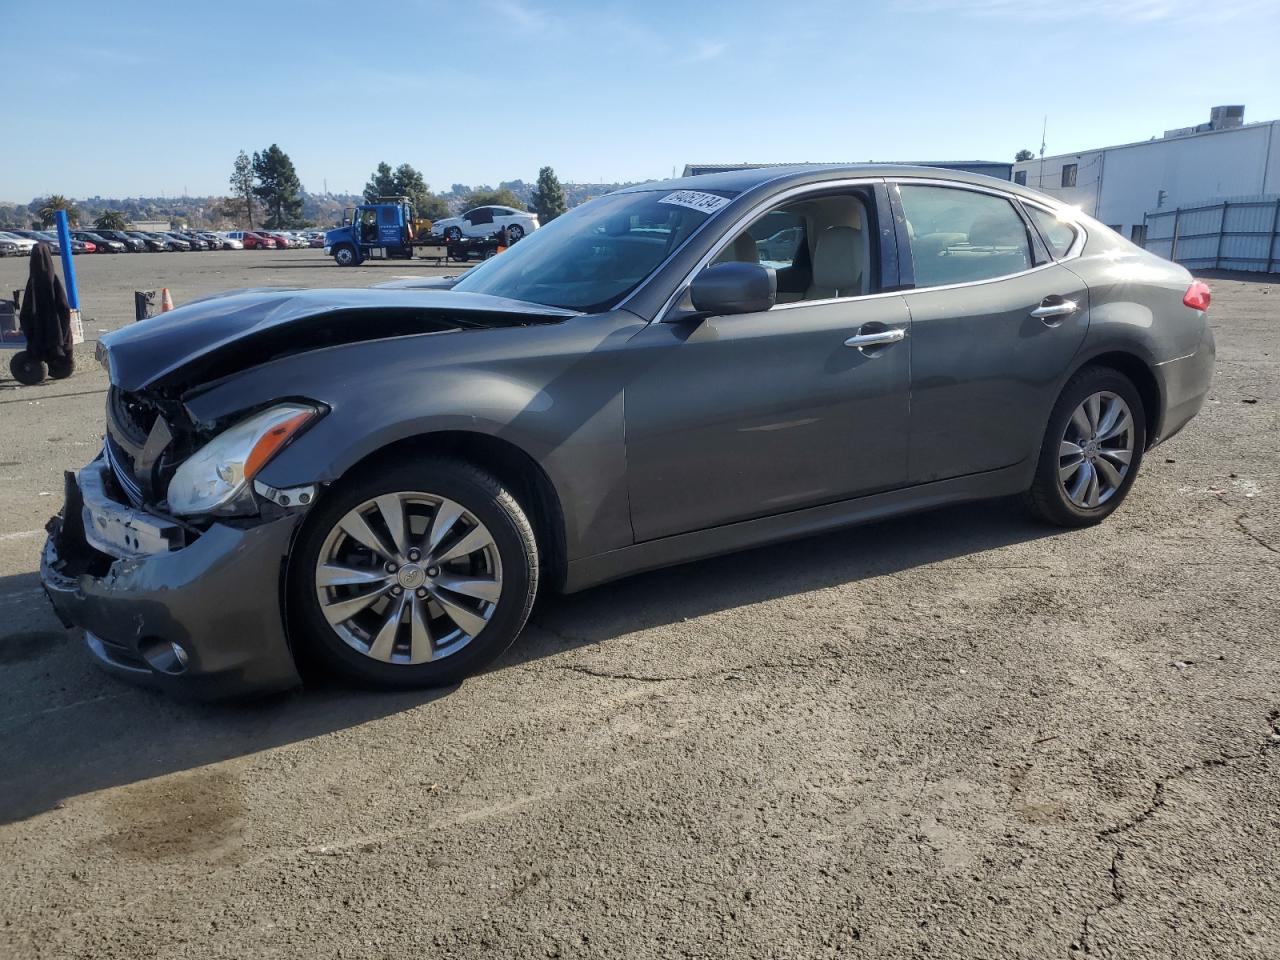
(961, 236)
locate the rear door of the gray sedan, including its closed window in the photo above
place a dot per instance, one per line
(995, 327)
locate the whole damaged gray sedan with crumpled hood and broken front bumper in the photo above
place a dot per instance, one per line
(382, 481)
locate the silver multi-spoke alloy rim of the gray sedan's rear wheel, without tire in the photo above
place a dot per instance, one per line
(1096, 450)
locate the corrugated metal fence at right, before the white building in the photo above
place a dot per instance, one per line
(1232, 235)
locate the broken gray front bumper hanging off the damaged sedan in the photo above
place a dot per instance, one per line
(195, 614)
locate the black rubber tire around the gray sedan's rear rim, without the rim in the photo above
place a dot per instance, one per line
(1046, 500)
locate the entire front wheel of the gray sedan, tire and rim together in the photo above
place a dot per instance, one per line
(414, 575)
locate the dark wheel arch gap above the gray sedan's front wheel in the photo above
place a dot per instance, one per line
(513, 467)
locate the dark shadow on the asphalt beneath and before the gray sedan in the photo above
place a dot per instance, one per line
(70, 730)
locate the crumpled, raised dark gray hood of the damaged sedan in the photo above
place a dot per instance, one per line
(216, 336)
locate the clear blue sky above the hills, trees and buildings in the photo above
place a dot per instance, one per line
(159, 98)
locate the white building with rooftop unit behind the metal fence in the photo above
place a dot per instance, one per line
(1215, 161)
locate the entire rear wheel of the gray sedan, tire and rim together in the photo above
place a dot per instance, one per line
(1092, 450)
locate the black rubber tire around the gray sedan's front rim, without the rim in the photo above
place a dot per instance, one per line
(477, 491)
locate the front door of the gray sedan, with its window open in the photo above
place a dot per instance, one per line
(733, 418)
